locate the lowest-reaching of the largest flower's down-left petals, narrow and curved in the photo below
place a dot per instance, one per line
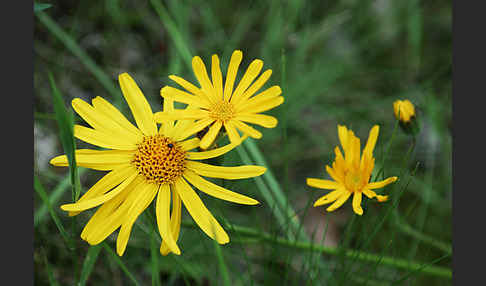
(146, 195)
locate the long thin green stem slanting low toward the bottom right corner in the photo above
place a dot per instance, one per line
(408, 265)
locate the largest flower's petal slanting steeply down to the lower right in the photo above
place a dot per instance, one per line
(201, 215)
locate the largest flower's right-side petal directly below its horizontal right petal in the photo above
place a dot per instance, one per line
(217, 191)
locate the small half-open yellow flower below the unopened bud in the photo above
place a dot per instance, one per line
(351, 173)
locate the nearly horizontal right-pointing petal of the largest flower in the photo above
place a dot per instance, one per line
(231, 173)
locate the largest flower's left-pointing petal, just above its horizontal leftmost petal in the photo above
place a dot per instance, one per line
(99, 138)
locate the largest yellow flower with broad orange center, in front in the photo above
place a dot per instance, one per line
(147, 163)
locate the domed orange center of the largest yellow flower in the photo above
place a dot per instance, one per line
(159, 159)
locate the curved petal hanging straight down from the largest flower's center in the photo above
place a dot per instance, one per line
(163, 218)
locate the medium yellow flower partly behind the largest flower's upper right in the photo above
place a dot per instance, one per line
(218, 106)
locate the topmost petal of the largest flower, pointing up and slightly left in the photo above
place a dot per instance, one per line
(141, 110)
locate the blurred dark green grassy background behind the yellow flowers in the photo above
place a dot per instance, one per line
(338, 62)
